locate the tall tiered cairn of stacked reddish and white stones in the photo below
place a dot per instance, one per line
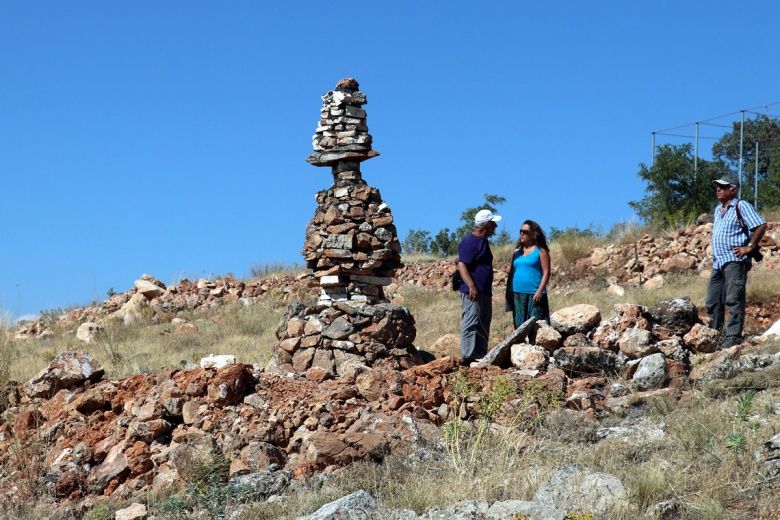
(353, 251)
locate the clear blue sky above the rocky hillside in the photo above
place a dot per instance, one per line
(169, 137)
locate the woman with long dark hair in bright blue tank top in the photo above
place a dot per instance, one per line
(526, 288)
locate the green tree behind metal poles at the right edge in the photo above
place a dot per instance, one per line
(765, 131)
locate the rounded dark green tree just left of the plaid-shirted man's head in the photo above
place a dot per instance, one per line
(675, 193)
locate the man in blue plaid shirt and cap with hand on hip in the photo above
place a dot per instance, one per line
(732, 243)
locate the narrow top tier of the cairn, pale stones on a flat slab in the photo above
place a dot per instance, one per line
(342, 133)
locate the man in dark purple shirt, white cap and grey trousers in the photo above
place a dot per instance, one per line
(475, 264)
